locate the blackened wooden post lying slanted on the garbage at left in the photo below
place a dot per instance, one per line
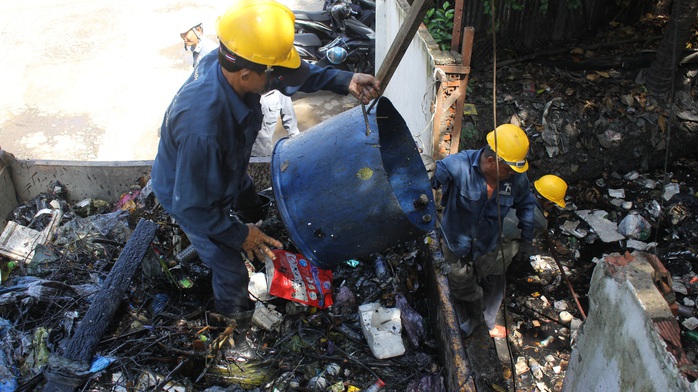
(68, 372)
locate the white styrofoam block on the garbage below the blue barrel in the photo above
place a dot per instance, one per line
(382, 328)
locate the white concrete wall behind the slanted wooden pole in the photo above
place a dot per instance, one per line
(412, 88)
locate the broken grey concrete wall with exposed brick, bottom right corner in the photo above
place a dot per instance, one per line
(619, 347)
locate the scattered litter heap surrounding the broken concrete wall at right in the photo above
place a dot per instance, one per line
(654, 212)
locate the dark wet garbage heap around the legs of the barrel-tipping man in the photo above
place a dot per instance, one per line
(166, 336)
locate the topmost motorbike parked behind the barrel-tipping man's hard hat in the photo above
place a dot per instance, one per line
(337, 18)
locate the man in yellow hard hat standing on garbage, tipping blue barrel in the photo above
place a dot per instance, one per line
(199, 174)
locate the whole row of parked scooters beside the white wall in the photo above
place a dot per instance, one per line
(336, 37)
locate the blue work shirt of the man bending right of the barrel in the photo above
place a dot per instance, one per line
(470, 223)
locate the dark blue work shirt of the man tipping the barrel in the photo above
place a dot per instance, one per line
(205, 146)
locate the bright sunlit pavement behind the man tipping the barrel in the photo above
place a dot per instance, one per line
(91, 79)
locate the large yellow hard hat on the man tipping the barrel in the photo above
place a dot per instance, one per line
(260, 31)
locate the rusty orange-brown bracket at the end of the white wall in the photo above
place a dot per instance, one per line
(450, 99)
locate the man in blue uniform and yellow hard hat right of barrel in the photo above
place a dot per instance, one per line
(479, 187)
